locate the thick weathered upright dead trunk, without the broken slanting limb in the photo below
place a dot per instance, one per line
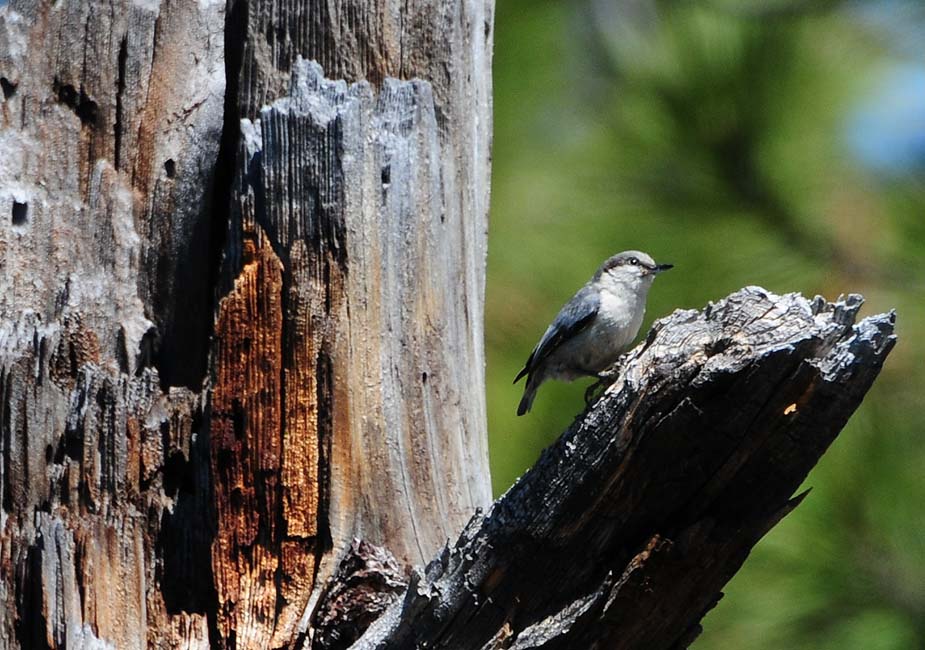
(240, 310)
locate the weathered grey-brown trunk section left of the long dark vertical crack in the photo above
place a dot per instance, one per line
(105, 310)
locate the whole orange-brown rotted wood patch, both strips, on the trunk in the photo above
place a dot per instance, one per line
(270, 407)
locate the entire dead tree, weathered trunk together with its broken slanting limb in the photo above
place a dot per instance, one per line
(241, 327)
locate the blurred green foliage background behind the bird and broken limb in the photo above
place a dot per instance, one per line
(715, 135)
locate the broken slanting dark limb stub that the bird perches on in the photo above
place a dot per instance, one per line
(625, 531)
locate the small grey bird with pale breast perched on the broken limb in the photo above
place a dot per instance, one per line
(593, 328)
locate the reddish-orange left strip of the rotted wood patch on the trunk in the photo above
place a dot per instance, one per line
(246, 434)
